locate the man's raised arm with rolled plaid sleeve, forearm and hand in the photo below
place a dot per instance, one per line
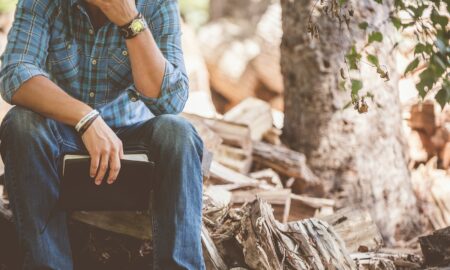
(156, 59)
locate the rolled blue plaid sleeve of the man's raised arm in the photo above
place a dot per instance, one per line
(166, 29)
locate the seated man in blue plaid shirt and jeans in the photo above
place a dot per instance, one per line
(95, 75)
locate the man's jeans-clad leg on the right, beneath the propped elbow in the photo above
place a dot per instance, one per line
(176, 148)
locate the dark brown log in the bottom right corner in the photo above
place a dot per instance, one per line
(436, 247)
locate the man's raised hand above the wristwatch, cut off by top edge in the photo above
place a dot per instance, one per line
(120, 12)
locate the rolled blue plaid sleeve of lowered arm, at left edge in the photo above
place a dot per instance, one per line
(26, 52)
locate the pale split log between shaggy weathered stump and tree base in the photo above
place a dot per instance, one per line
(357, 229)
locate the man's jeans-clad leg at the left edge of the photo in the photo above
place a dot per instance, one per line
(30, 147)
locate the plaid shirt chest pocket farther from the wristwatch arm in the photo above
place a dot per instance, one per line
(64, 60)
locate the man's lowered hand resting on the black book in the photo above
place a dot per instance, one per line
(105, 149)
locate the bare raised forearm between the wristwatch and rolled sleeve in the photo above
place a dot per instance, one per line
(147, 64)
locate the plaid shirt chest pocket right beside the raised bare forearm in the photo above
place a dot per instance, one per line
(119, 69)
